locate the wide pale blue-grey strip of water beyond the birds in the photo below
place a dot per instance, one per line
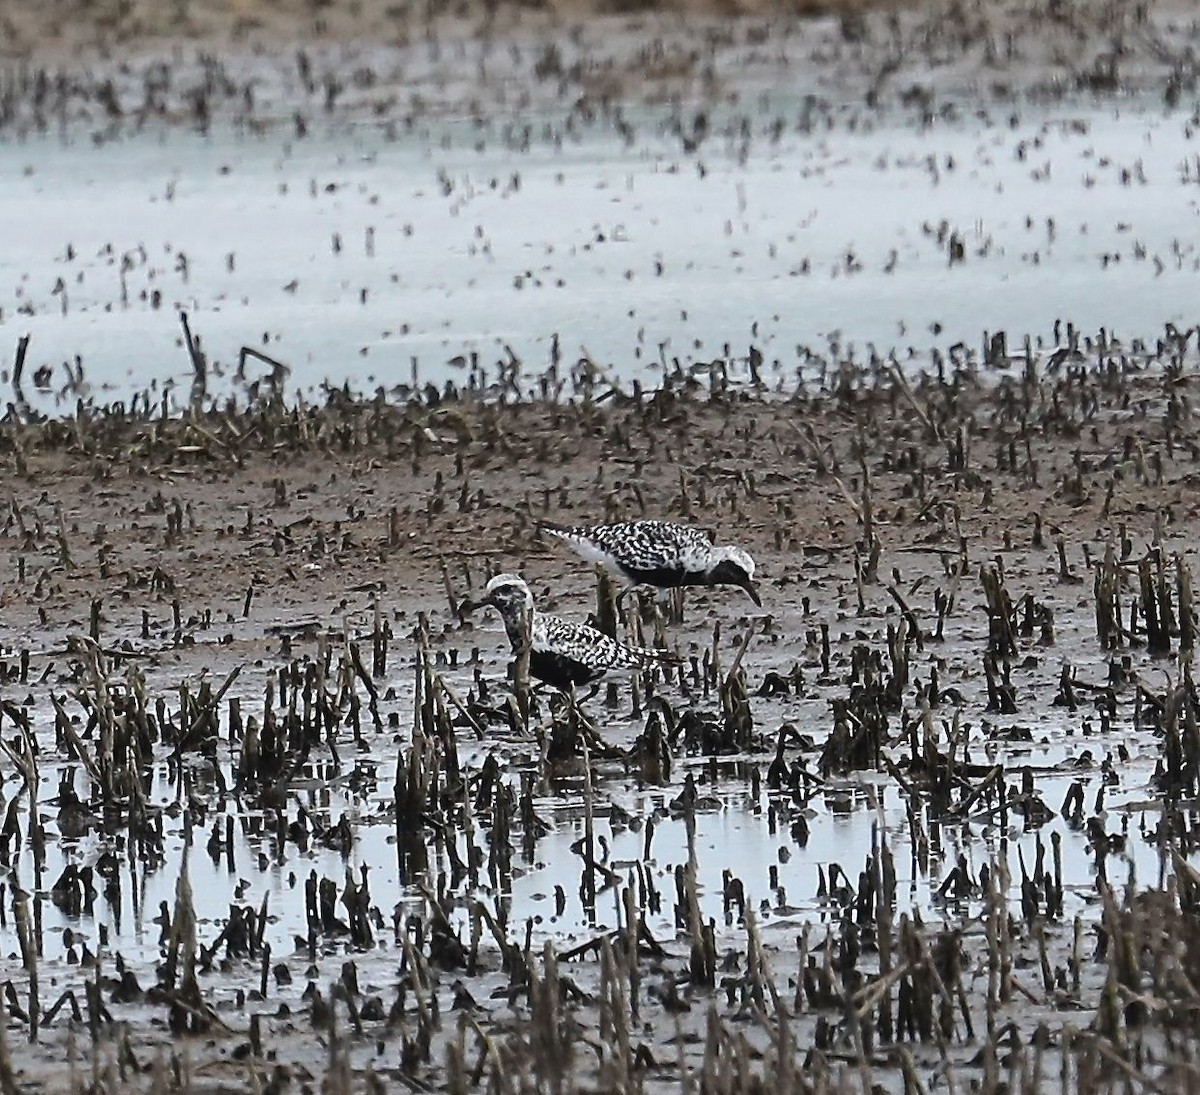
(451, 241)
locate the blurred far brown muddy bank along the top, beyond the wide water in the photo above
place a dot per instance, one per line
(117, 67)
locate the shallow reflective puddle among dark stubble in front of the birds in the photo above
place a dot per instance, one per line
(739, 833)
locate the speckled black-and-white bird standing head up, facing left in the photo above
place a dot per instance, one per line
(562, 654)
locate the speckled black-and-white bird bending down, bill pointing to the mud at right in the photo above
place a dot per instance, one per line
(661, 554)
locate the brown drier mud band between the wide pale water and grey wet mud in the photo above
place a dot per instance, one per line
(371, 499)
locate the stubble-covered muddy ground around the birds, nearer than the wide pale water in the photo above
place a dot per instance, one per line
(879, 511)
